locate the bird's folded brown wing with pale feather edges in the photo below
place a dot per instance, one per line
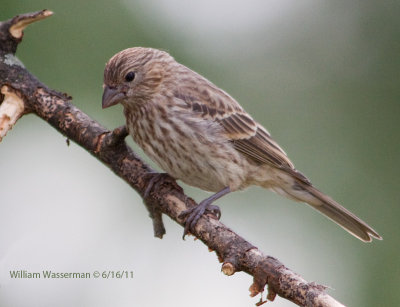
(247, 136)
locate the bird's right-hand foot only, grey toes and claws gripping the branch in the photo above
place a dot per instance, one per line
(194, 214)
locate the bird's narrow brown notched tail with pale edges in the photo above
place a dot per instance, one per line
(305, 192)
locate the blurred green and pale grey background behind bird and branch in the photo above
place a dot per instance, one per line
(321, 76)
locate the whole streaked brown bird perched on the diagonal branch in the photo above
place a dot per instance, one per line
(199, 134)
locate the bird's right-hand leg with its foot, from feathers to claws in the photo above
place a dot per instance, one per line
(195, 213)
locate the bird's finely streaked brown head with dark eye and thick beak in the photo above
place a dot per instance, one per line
(134, 75)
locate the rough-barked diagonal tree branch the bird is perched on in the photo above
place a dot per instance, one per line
(22, 93)
